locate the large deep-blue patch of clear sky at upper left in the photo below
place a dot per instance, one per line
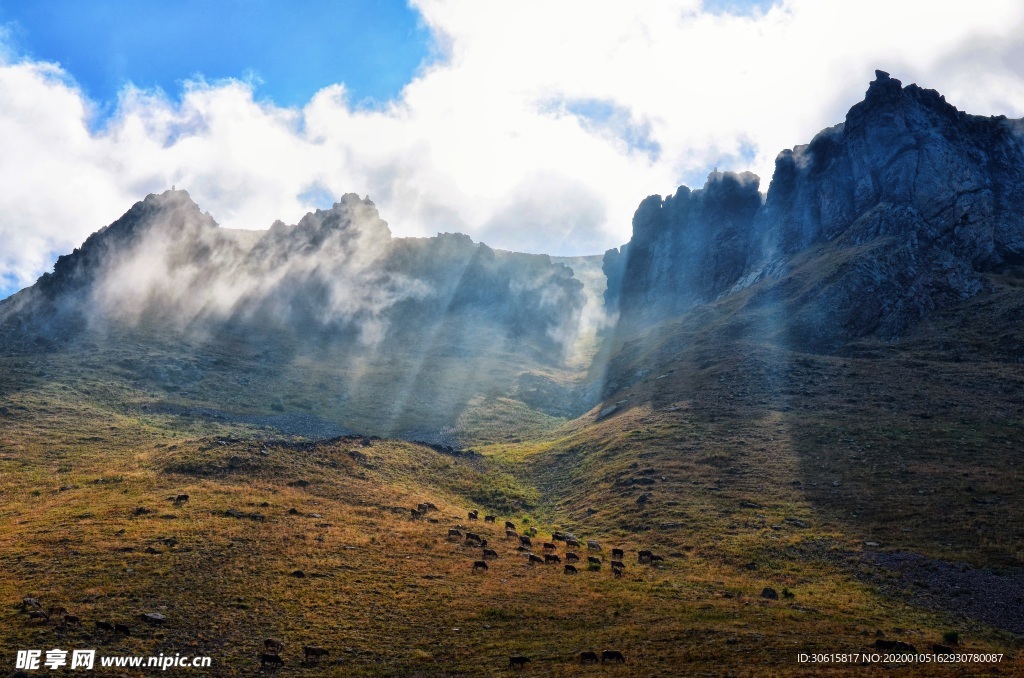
(291, 50)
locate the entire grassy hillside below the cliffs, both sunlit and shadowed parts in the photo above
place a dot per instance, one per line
(745, 465)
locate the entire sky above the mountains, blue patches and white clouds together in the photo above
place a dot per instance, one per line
(533, 126)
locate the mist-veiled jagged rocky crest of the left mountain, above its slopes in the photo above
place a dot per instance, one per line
(336, 276)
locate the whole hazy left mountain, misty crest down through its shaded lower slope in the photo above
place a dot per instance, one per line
(398, 335)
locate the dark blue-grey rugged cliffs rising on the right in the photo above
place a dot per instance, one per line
(879, 221)
